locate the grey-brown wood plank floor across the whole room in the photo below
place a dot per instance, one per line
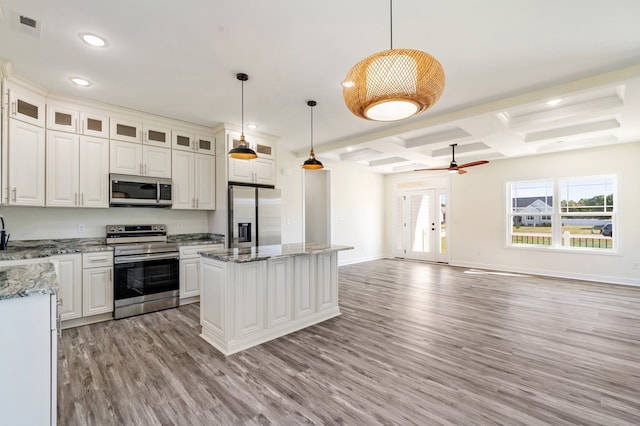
(416, 343)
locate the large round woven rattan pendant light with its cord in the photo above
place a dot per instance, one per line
(393, 84)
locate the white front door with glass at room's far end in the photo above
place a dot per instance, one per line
(419, 219)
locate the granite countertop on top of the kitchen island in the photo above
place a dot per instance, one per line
(253, 254)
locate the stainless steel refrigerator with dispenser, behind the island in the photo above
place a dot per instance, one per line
(254, 216)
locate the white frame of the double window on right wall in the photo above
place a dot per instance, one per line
(557, 214)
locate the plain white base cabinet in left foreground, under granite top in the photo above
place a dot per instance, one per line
(28, 371)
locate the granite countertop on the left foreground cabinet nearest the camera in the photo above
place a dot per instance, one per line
(27, 280)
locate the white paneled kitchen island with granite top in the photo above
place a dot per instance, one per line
(252, 295)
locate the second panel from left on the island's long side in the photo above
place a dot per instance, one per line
(279, 297)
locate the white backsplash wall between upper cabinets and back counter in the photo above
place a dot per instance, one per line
(35, 223)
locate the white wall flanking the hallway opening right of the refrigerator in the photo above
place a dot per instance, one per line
(357, 205)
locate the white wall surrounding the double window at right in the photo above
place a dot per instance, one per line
(477, 215)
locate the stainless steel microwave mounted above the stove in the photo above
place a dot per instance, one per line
(139, 191)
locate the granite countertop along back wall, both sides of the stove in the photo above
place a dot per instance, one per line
(32, 249)
